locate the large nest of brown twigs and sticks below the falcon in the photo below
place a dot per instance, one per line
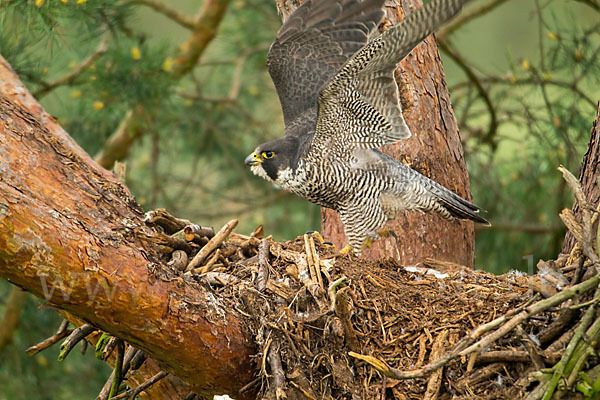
(334, 326)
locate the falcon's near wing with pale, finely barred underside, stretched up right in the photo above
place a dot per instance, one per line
(359, 107)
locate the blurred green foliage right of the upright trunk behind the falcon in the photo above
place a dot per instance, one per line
(544, 101)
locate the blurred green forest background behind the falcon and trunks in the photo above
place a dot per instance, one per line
(524, 79)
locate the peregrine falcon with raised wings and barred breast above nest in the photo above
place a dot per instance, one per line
(335, 80)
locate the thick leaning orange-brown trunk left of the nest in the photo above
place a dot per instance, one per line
(69, 232)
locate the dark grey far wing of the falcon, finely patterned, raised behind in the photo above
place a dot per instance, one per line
(313, 44)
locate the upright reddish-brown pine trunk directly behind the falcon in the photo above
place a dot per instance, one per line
(435, 150)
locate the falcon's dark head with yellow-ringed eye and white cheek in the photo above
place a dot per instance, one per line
(275, 160)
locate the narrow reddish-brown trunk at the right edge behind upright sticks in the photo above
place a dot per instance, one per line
(588, 176)
